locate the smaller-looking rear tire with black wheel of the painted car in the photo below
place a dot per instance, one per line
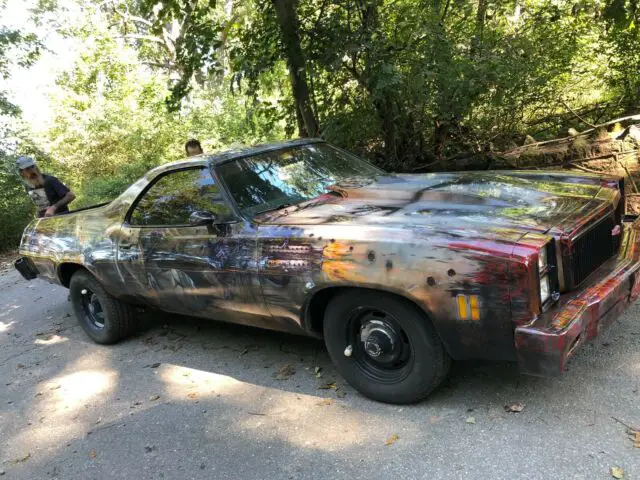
(105, 319)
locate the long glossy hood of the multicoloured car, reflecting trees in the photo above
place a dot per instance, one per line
(515, 202)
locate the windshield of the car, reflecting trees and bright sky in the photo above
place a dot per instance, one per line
(286, 177)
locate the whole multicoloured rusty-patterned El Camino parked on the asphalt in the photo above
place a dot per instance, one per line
(399, 274)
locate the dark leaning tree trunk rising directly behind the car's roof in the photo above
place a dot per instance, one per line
(288, 22)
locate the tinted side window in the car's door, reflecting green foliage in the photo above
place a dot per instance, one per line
(175, 196)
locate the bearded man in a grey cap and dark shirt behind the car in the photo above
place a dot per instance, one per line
(48, 193)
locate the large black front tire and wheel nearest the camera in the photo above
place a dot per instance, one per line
(402, 371)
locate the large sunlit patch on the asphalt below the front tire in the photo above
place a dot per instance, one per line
(273, 413)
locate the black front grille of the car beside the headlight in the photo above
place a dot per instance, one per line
(592, 249)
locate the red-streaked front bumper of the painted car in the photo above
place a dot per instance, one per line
(545, 345)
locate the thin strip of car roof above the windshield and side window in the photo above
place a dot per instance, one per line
(228, 155)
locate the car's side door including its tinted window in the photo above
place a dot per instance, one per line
(197, 258)
